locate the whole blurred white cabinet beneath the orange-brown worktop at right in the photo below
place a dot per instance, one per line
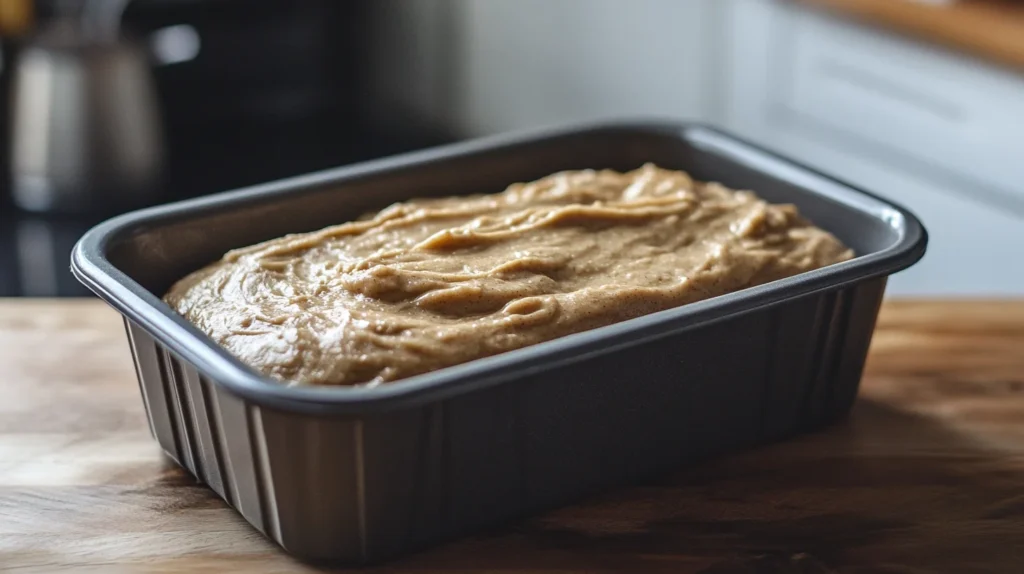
(935, 131)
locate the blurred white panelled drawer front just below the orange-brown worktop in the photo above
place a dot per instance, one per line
(909, 104)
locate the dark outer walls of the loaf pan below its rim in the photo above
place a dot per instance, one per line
(365, 489)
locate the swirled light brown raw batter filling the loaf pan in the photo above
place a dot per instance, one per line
(429, 284)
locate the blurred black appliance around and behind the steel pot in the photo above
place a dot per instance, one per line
(250, 92)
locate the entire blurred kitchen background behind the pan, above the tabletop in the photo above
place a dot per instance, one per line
(110, 105)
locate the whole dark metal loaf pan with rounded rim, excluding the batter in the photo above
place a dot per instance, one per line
(358, 475)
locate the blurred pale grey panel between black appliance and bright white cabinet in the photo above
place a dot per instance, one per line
(490, 66)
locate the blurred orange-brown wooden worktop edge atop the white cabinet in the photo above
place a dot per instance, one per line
(990, 29)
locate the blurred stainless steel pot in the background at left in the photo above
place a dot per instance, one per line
(87, 134)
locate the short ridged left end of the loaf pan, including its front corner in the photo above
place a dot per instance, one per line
(297, 479)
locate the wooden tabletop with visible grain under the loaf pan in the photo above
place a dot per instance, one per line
(926, 476)
